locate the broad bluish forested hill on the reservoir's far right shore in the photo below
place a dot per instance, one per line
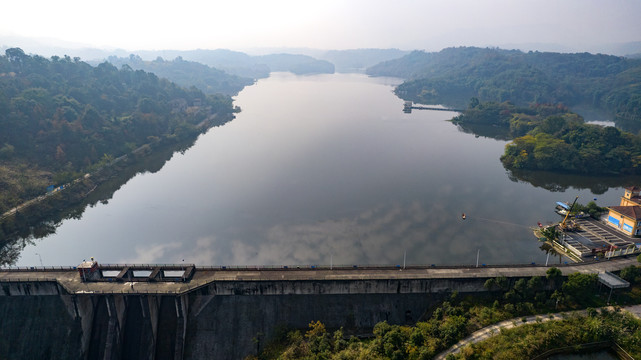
(454, 75)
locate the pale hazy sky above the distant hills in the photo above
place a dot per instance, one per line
(323, 24)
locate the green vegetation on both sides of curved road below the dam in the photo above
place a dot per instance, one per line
(459, 316)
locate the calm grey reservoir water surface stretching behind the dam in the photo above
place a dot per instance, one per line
(324, 169)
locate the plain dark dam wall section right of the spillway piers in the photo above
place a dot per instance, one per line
(244, 321)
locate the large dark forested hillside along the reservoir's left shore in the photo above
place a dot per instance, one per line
(60, 117)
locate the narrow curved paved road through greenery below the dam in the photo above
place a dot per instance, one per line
(492, 330)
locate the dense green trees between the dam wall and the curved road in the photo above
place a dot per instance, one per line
(456, 318)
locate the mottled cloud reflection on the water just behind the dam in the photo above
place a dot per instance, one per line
(379, 235)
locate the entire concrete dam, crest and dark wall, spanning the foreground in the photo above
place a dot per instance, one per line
(183, 311)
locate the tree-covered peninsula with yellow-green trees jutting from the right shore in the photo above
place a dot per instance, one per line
(551, 138)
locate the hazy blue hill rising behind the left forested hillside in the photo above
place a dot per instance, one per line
(187, 73)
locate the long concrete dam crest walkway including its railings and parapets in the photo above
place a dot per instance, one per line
(183, 278)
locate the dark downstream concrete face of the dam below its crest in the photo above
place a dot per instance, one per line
(36, 323)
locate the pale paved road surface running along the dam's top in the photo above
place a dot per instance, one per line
(70, 279)
